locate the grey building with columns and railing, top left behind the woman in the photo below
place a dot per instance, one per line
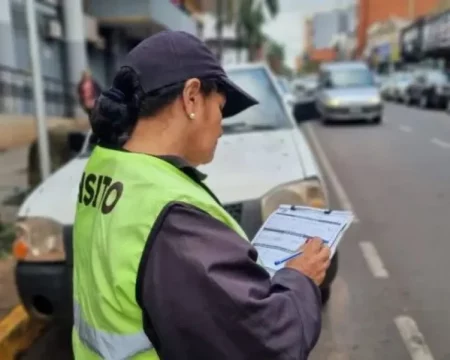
(76, 35)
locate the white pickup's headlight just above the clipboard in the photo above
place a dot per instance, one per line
(308, 192)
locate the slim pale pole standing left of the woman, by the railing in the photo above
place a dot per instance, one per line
(38, 90)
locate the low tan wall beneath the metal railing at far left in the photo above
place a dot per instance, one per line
(20, 130)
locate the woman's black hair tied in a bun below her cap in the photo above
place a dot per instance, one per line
(117, 110)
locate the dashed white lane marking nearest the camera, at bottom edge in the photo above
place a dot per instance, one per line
(413, 338)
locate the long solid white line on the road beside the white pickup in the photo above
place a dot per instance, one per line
(338, 188)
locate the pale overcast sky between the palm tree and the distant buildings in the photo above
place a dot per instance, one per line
(287, 28)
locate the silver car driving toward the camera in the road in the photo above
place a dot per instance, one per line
(347, 92)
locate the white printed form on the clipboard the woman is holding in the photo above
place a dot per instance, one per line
(289, 227)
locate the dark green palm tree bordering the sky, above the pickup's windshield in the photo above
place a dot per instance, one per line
(249, 22)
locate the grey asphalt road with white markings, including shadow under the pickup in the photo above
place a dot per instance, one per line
(391, 297)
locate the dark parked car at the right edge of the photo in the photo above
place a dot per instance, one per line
(429, 89)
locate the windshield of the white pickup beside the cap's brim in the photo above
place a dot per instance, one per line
(268, 114)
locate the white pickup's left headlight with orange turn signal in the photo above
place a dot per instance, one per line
(39, 239)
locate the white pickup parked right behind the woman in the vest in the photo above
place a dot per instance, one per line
(262, 160)
